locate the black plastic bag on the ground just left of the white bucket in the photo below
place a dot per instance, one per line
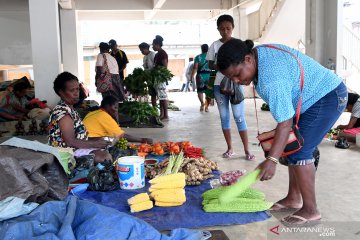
(103, 177)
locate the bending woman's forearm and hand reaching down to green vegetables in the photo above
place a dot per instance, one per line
(282, 132)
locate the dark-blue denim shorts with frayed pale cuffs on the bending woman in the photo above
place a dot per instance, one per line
(316, 121)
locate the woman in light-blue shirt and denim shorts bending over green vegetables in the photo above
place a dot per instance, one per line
(276, 76)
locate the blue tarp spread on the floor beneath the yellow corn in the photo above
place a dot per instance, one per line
(189, 215)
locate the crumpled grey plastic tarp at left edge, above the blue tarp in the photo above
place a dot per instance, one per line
(30, 175)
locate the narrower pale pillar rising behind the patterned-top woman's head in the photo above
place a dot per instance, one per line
(72, 53)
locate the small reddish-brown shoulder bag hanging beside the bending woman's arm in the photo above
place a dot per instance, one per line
(294, 143)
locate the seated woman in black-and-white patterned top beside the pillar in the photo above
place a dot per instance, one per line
(65, 126)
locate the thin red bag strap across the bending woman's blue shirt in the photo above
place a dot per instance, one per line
(298, 109)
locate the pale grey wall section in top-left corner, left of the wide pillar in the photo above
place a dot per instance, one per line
(15, 40)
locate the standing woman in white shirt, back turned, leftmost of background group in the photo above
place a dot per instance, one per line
(116, 90)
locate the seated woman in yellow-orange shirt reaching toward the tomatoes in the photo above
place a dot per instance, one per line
(102, 122)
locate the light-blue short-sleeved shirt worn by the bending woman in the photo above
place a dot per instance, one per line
(279, 81)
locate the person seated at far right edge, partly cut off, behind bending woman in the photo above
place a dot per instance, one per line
(350, 130)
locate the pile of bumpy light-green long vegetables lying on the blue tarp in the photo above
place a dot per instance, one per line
(250, 200)
